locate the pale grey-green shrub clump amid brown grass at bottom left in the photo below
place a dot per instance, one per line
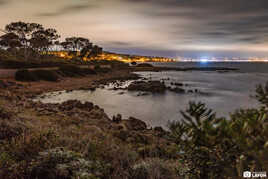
(60, 163)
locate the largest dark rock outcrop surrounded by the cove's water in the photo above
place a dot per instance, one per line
(150, 86)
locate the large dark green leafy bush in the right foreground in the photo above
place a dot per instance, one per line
(214, 147)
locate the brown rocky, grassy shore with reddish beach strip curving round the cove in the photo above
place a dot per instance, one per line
(70, 127)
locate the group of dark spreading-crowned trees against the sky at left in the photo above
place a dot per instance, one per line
(33, 39)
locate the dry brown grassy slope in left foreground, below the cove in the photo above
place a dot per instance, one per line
(64, 145)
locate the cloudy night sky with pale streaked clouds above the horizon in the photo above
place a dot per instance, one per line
(192, 28)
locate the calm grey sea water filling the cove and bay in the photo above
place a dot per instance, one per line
(224, 92)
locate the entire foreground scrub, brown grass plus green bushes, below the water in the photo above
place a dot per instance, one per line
(75, 140)
